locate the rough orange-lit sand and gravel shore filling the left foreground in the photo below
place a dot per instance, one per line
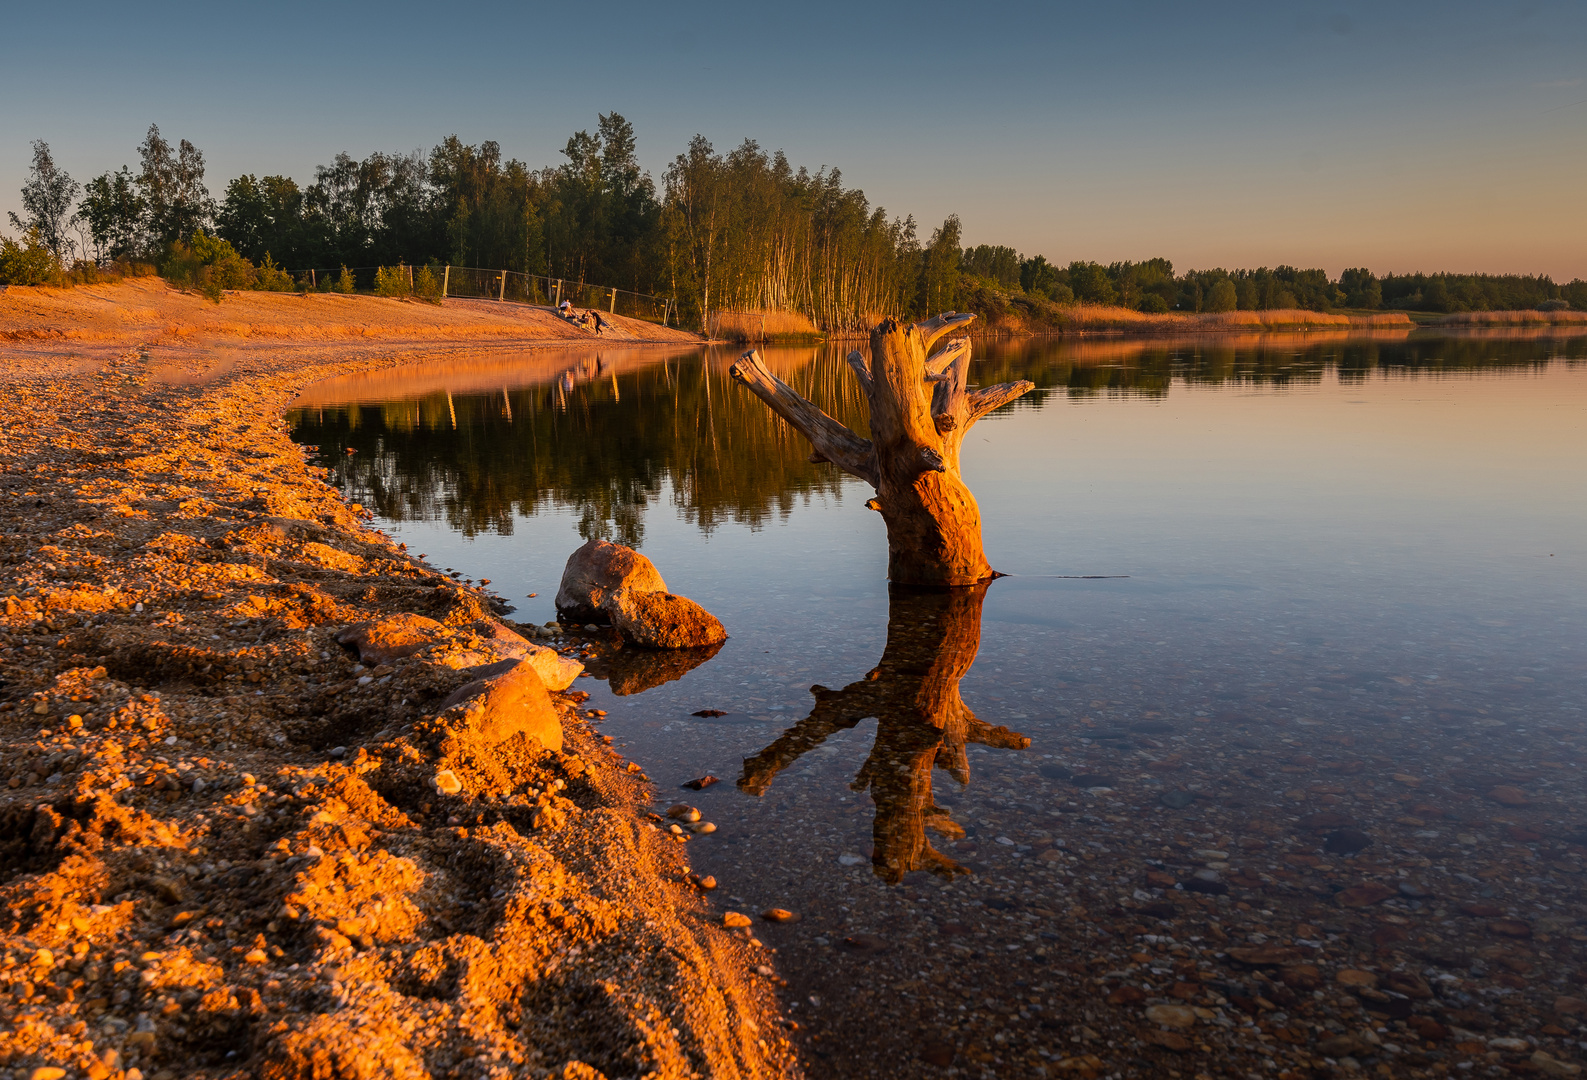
(191, 883)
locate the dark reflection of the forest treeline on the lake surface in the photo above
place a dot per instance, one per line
(482, 443)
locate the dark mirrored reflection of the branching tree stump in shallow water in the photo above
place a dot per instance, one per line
(921, 724)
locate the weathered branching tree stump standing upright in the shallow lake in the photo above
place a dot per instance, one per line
(921, 412)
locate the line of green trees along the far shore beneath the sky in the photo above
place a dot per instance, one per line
(739, 231)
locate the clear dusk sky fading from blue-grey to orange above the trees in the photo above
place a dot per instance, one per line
(1393, 136)
